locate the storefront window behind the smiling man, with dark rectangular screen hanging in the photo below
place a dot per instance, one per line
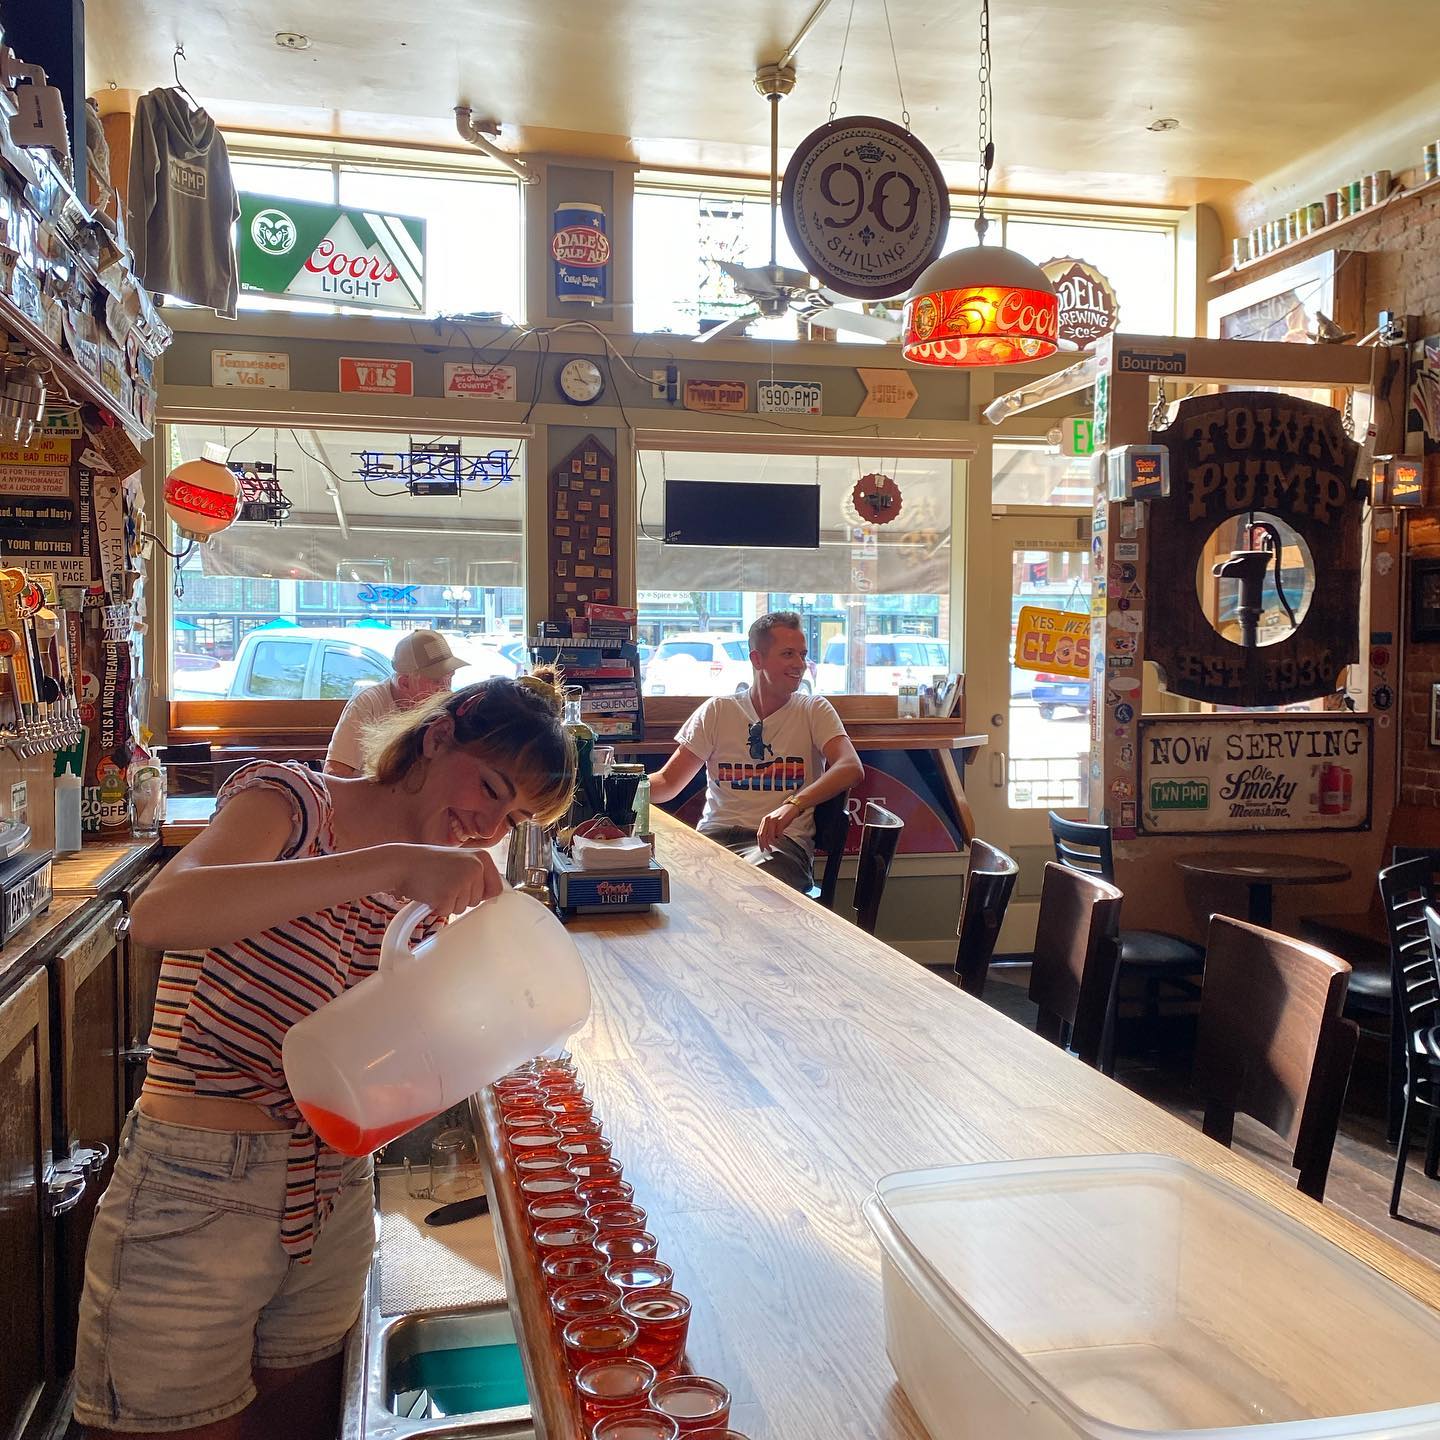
(875, 600)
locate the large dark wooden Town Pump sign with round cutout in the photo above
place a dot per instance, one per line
(1235, 456)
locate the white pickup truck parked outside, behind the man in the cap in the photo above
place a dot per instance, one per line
(300, 663)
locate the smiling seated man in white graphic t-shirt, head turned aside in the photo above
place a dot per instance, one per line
(771, 757)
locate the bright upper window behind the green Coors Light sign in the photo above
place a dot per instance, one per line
(472, 227)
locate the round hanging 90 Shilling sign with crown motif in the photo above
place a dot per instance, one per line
(865, 207)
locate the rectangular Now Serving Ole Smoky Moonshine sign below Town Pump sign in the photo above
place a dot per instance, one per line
(1242, 773)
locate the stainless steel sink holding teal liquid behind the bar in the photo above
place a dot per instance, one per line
(446, 1373)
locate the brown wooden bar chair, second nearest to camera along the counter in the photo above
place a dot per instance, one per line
(1072, 977)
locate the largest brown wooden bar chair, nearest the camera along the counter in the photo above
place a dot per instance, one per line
(1274, 1043)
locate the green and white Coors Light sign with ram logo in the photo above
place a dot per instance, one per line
(349, 257)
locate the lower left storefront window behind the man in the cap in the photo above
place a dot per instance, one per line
(312, 610)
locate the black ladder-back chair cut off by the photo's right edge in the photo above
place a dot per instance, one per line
(1406, 891)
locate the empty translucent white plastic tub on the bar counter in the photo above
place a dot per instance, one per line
(1134, 1295)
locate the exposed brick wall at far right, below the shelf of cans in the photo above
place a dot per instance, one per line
(1402, 274)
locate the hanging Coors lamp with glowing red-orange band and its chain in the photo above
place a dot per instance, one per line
(986, 305)
